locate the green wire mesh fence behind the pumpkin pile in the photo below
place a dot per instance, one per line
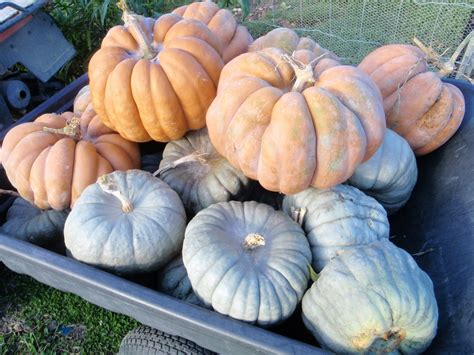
(353, 28)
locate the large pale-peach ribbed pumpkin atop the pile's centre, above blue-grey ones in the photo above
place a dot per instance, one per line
(290, 135)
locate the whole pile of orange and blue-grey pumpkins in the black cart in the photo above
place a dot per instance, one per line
(280, 110)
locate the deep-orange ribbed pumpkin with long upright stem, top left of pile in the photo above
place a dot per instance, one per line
(154, 80)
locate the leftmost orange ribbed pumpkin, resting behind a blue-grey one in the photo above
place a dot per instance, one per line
(52, 160)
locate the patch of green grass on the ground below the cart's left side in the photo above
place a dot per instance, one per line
(33, 318)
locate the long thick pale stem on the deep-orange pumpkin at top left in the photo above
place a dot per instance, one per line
(133, 22)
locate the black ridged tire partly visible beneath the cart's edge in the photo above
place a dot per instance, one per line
(146, 340)
